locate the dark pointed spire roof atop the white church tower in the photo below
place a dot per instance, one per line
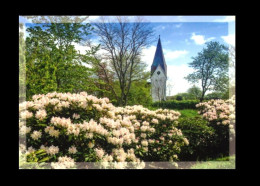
(159, 59)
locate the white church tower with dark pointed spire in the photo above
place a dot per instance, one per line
(158, 74)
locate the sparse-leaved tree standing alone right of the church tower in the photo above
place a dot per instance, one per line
(211, 67)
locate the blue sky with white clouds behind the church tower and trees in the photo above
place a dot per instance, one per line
(182, 37)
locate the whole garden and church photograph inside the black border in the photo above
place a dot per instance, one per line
(127, 92)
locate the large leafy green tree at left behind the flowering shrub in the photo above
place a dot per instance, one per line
(53, 63)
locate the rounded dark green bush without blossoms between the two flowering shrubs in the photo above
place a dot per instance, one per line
(200, 136)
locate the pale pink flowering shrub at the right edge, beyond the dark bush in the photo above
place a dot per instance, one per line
(221, 116)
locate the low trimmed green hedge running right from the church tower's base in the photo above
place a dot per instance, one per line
(175, 104)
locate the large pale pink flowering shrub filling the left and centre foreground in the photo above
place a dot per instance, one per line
(70, 128)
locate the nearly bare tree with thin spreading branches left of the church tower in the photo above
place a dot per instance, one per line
(123, 42)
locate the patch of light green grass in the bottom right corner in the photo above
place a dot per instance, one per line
(219, 163)
